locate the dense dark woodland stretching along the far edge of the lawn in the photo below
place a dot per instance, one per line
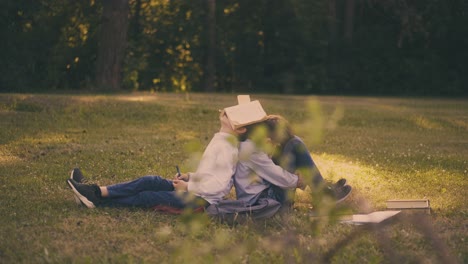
(409, 47)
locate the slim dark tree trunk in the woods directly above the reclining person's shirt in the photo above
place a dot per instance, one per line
(210, 70)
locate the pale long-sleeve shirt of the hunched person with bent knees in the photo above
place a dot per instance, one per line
(256, 172)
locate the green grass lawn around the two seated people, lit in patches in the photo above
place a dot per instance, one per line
(387, 148)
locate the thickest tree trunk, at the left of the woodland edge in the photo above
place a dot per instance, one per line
(112, 43)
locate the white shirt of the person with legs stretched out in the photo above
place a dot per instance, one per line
(213, 178)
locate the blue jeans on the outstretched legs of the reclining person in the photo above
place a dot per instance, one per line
(148, 192)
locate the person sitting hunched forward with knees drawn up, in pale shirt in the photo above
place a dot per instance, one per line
(257, 176)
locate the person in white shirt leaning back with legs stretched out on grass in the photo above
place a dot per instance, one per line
(209, 184)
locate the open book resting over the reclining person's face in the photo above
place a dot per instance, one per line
(245, 114)
